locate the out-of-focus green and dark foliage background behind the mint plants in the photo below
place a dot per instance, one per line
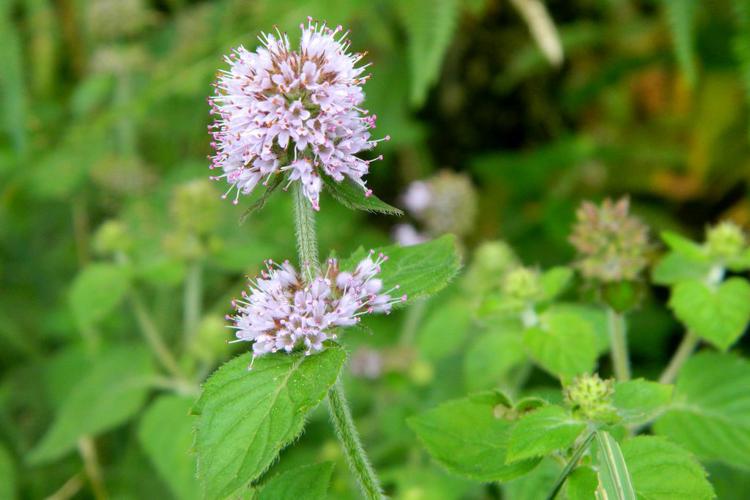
(110, 232)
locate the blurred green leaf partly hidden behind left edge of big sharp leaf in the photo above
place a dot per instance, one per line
(166, 434)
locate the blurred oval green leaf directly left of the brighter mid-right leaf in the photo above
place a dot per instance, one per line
(491, 357)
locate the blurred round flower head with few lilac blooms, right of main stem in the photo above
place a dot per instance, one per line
(445, 203)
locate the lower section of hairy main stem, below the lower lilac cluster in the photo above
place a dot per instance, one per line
(349, 438)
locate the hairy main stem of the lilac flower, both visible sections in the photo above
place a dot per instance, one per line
(307, 246)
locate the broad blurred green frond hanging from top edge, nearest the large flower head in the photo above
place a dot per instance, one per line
(429, 25)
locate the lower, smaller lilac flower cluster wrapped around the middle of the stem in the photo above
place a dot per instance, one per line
(283, 313)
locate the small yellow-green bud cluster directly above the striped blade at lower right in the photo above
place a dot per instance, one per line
(591, 397)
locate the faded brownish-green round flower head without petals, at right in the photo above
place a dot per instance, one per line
(612, 245)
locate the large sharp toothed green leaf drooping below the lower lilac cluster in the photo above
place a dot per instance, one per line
(248, 416)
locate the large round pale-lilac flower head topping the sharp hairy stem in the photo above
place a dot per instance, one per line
(292, 111)
